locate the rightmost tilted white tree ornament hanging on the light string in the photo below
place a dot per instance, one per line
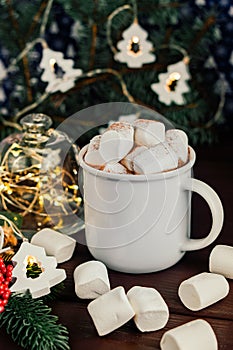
(173, 84)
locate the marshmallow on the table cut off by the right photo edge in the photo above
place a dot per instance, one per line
(221, 260)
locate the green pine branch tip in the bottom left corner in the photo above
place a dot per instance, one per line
(31, 325)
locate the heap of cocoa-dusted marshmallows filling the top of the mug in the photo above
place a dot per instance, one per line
(141, 148)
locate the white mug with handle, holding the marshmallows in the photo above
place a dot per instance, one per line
(141, 223)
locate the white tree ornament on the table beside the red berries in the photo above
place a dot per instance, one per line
(49, 276)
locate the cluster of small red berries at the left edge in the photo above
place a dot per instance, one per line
(5, 279)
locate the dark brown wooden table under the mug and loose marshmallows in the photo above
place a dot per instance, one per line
(214, 165)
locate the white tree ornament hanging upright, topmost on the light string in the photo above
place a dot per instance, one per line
(134, 49)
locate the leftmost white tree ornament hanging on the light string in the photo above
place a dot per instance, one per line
(58, 72)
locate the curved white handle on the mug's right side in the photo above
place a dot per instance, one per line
(216, 209)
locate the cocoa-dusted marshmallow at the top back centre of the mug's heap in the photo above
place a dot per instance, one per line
(148, 132)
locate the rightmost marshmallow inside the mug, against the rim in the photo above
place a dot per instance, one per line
(178, 141)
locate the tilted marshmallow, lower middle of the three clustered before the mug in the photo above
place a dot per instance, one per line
(110, 311)
